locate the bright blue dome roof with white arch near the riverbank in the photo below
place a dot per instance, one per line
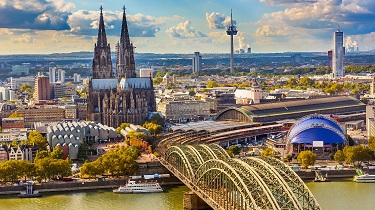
(316, 128)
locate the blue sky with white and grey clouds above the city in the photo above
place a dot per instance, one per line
(186, 26)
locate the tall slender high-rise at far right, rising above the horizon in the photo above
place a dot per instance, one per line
(338, 54)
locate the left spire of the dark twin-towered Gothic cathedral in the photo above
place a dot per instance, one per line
(102, 63)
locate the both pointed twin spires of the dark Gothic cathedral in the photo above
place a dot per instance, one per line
(102, 63)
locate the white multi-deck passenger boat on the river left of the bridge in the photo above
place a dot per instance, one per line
(140, 187)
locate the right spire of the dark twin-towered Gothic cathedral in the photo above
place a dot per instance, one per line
(125, 65)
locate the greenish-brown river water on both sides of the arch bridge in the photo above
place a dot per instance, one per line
(335, 195)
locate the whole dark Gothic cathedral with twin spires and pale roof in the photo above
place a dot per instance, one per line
(114, 99)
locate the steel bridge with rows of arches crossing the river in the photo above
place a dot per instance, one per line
(238, 184)
